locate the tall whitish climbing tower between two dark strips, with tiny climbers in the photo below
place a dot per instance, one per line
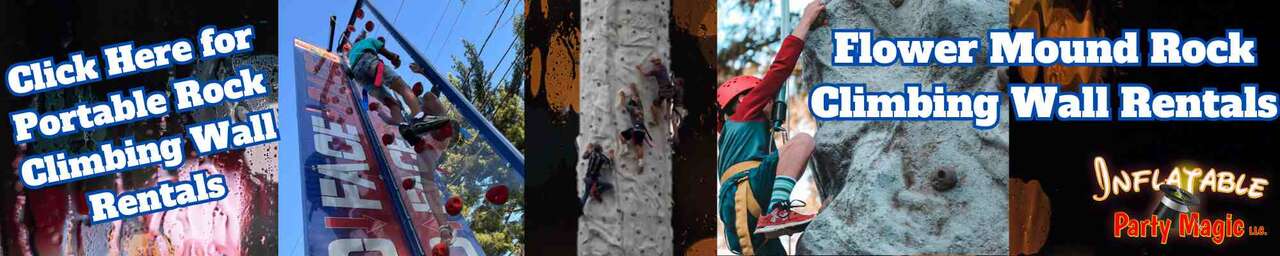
(636, 217)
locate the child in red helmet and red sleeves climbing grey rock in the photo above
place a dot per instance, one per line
(749, 170)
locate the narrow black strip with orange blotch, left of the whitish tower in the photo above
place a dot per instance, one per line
(551, 193)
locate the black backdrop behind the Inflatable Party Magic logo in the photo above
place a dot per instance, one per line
(1060, 154)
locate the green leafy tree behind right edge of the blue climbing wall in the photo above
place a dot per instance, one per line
(473, 166)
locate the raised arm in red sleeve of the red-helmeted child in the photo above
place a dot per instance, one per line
(751, 107)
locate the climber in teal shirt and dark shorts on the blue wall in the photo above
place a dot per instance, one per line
(383, 83)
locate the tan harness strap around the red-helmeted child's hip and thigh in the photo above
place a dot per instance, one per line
(738, 176)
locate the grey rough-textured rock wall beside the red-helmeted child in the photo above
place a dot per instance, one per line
(911, 188)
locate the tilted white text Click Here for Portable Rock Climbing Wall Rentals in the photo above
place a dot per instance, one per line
(138, 104)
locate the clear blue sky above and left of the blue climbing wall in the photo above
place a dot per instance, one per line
(436, 28)
